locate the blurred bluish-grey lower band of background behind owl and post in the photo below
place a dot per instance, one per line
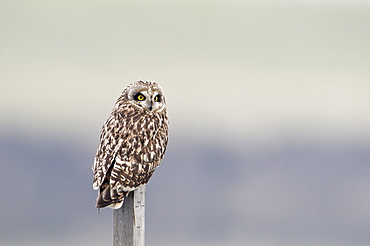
(208, 191)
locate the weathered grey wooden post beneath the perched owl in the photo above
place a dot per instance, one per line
(129, 220)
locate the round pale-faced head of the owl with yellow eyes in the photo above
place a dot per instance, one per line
(146, 95)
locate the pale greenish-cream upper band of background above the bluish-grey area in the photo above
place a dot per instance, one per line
(244, 66)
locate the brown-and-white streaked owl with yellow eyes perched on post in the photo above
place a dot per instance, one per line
(133, 141)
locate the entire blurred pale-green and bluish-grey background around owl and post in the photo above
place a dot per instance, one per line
(269, 106)
